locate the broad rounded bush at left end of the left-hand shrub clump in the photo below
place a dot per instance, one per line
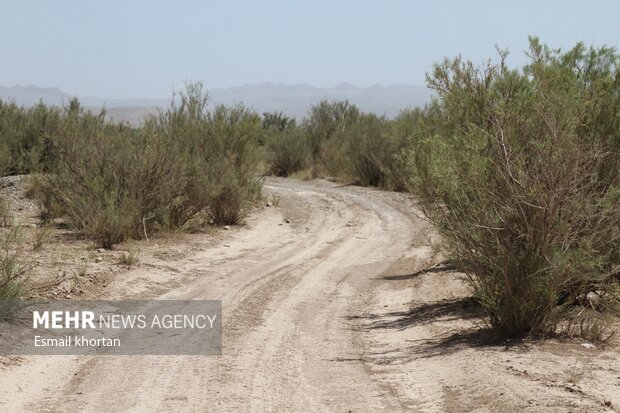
(96, 179)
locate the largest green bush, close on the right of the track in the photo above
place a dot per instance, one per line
(522, 183)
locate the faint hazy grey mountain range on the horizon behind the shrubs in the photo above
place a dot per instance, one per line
(292, 100)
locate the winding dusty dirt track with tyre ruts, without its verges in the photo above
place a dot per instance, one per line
(288, 291)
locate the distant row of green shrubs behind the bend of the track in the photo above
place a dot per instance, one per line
(337, 139)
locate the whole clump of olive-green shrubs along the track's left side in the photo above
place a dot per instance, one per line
(113, 182)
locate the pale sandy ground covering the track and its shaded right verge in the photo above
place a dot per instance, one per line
(345, 308)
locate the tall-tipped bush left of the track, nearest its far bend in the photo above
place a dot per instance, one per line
(220, 151)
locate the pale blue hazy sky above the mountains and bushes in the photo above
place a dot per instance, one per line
(132, 48)
